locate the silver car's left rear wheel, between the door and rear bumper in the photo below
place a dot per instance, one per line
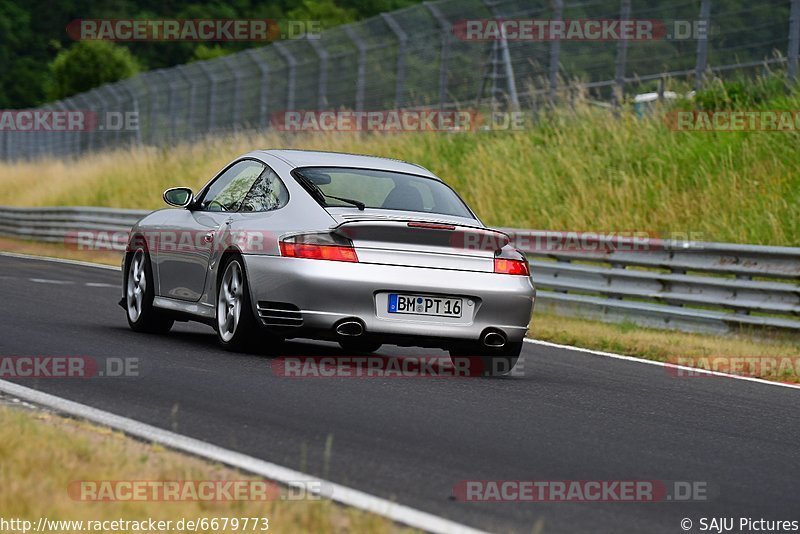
(234, 334)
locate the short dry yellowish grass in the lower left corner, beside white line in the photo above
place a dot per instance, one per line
(42, 453)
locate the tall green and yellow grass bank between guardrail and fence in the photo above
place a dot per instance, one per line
(579, 169)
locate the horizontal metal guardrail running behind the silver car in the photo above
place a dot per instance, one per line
(691, 286)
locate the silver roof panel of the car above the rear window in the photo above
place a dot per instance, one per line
(318, 158)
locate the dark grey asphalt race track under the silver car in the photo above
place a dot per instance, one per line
(572, 416)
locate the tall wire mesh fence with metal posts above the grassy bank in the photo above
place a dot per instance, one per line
(418, 58)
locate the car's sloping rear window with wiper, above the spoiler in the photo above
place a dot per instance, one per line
(384, 190)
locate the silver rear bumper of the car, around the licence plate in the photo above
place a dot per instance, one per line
(328, 291)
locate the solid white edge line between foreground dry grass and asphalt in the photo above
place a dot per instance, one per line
(341, 494)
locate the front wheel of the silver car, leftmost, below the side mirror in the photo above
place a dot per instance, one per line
(139, 310)
